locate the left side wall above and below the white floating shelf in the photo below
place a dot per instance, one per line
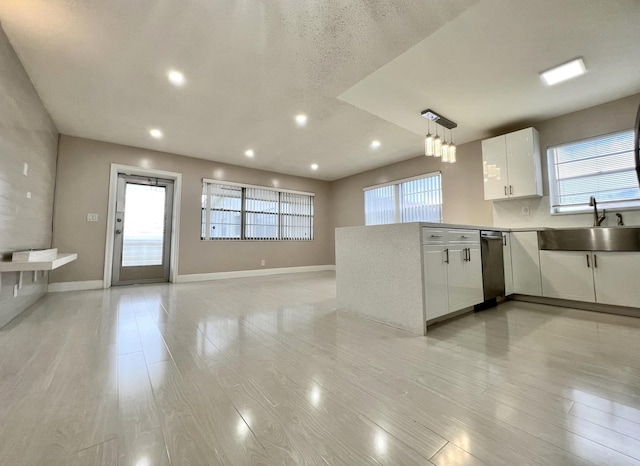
(26, 135)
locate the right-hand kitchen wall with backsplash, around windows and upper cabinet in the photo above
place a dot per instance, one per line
(462, 187)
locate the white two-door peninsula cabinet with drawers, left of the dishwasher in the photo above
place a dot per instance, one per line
(452, 271)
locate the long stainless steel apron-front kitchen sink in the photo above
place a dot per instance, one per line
(591, 239)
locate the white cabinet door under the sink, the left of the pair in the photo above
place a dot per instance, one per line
(567, 275)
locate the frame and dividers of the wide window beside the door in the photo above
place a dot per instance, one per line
(282, 234)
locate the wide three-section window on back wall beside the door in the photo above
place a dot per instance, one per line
(233, 211)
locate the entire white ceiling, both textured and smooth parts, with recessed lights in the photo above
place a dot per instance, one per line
(100, 68)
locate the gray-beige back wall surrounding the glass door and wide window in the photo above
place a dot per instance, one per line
(83, 187)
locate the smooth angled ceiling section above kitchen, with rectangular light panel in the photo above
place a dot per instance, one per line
(486, 77)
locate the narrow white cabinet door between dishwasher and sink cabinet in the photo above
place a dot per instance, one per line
(525, 261)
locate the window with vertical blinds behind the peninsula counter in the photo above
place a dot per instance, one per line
(416, 199)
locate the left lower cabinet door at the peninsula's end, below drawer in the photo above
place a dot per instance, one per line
(435, 281)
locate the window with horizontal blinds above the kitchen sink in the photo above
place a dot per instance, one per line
(602, 167)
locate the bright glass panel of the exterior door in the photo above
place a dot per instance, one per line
(143, 234)
